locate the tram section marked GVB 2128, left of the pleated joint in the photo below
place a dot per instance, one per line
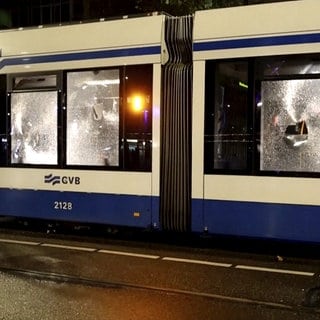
(81, 129)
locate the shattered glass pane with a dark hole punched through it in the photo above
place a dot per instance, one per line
(290, 127)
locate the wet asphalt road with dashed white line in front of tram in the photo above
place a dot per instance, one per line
(52, 278)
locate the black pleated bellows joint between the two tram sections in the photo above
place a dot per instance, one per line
(176, 109)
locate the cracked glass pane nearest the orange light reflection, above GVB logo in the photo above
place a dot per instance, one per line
(93, 118)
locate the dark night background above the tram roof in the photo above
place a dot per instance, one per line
(24, 13)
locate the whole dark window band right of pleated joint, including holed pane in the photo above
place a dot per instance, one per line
(262, 115)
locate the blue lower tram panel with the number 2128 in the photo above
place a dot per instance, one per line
(124, 210)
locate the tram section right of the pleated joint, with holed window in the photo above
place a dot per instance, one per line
(261, 102)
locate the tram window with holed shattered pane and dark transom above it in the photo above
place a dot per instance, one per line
(288, 88)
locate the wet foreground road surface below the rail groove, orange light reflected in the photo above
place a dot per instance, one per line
(23, 298)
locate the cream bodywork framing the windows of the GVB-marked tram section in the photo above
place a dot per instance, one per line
(132, 36)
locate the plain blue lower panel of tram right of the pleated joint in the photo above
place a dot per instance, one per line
(263, 220)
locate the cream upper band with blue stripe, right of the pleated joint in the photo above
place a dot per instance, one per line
(222, 28)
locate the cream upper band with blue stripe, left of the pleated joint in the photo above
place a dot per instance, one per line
(84, 45)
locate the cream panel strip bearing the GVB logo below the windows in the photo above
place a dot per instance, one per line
(112, 182)
